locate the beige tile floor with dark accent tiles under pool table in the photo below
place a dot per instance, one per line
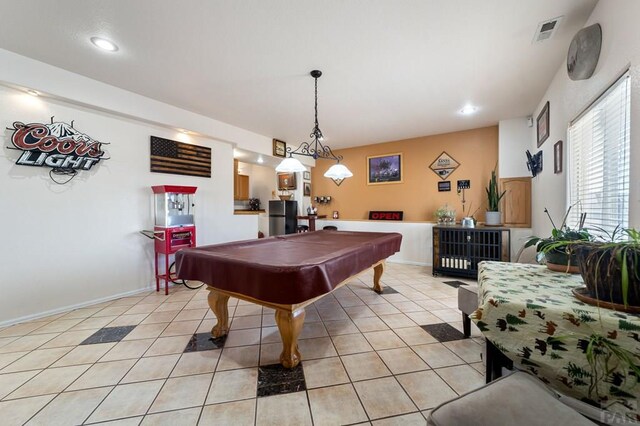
(366, 360)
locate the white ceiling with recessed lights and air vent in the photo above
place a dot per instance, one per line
(392, 69)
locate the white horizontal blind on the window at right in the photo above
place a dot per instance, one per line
(599, 160)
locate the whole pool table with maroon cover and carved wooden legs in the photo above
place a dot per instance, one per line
(285, 273)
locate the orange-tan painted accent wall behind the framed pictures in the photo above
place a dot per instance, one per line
(476, 150)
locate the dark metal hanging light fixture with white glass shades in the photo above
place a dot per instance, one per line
(315, 149)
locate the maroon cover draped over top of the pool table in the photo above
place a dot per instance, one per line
(287, 269)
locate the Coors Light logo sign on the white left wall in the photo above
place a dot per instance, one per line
(57, 145)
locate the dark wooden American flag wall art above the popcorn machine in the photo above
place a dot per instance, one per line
(179, 158)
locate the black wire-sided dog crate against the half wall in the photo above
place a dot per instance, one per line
(458, 250)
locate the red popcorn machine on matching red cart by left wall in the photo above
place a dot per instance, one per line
(174, 225)
